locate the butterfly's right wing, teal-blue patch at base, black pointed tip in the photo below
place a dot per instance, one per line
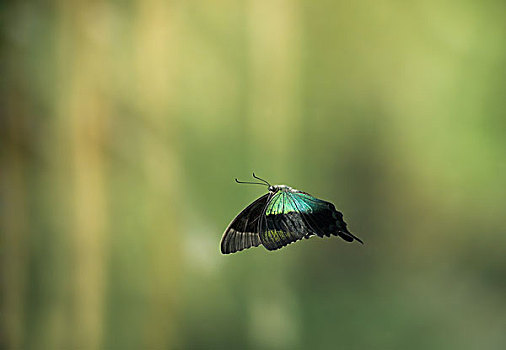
(321, 217)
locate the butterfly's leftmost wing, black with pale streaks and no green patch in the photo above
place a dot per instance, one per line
(242, 233)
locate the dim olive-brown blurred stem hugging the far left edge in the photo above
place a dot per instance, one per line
(13, 229)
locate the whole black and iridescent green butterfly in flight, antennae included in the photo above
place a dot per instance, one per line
(282, 216)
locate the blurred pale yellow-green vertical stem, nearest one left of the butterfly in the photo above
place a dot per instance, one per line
(156, 44)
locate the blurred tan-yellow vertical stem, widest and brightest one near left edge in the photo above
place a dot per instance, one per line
(84, 111)
